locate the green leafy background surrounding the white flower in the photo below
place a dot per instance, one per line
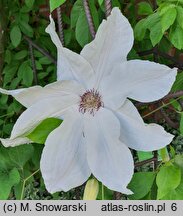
(28, 57)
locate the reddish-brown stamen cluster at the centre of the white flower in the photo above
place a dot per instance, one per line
(90, 102)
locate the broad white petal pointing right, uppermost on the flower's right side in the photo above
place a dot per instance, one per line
(144, 81)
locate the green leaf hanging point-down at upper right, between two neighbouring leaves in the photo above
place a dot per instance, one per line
(156, 34)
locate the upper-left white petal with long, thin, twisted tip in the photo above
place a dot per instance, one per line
(70, 65)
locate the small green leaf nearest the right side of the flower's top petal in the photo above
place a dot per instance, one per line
(140, 30)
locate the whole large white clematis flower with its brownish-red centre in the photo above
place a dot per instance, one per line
(100, 123)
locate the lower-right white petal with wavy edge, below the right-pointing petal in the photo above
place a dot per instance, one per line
(138, 135)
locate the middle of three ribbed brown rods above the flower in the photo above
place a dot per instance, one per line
(89, 18)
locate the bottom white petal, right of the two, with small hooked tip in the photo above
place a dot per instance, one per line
(109, 159)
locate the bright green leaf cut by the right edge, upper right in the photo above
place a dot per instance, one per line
(176, 35)
